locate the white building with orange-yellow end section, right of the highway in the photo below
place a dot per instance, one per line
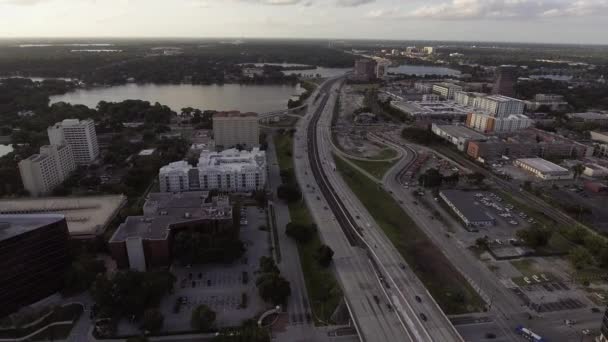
(490, 124)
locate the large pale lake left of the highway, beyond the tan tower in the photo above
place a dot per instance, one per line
(244, 98)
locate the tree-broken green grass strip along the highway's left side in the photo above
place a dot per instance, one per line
(323, 289)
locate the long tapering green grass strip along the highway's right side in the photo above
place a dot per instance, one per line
(444, 282)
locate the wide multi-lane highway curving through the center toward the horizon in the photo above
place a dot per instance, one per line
(410, 310)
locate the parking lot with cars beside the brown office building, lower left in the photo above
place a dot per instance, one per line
(229, 290)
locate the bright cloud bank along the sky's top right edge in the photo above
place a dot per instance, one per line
(498, 9)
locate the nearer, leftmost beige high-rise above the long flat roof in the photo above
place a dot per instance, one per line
(41, 173)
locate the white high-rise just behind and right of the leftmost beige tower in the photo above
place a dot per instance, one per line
(80, 135)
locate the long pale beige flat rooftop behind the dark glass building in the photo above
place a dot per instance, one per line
(84, 215)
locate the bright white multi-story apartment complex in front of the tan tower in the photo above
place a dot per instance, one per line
(230, 171)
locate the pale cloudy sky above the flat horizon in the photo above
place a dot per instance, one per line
(549, 21)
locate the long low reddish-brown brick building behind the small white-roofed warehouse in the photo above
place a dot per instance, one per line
(530, 142)
